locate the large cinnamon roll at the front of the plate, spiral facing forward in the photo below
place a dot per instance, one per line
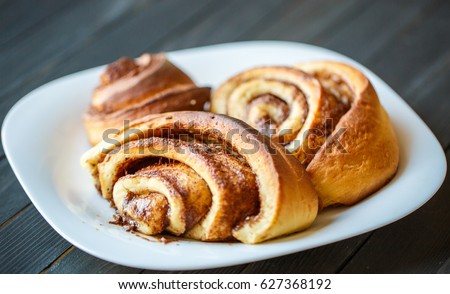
(203, 176)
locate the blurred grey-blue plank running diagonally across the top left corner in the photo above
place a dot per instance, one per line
(55, 38)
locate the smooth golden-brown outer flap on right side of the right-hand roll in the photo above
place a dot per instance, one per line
(366, 154)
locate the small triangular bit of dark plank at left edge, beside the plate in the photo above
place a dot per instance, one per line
(13, 198)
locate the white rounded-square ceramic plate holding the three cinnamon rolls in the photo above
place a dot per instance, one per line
(43, 138)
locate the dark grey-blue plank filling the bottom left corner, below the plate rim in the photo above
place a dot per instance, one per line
(29, 244)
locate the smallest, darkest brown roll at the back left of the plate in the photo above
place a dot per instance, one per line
(130, 89)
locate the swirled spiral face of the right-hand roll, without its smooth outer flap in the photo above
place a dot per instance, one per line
(283, 102)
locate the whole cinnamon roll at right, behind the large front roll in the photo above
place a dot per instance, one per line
(325, 113)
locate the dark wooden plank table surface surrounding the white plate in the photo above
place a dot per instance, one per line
(407, 43)
